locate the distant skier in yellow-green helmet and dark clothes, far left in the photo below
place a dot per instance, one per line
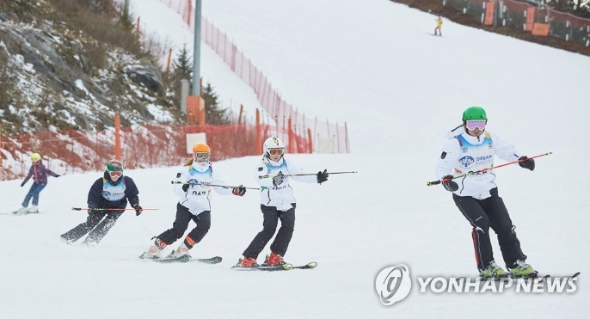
(39, 174)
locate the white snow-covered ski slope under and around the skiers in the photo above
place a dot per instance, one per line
(375, 66)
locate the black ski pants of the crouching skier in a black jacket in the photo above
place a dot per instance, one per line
(95, 226)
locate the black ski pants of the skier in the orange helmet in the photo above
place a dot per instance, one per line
(183, 217)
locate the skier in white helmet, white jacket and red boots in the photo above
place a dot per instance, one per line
(276, 202)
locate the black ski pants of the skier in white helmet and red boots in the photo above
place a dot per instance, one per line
(283, 238)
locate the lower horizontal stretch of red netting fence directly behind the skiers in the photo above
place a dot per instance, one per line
(71, 151)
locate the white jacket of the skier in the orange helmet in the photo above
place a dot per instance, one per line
(198, 197)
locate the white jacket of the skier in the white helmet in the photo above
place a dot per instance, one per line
(280, 196)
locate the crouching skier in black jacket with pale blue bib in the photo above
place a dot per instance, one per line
(108, 196)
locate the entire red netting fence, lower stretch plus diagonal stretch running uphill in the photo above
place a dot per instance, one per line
(71, 151)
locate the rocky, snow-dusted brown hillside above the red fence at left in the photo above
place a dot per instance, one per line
(67, 64)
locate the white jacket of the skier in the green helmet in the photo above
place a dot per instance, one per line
(464, 153)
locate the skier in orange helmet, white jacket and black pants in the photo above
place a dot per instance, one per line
(192, 185)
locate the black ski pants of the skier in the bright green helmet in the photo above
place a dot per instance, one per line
(483, 215)
